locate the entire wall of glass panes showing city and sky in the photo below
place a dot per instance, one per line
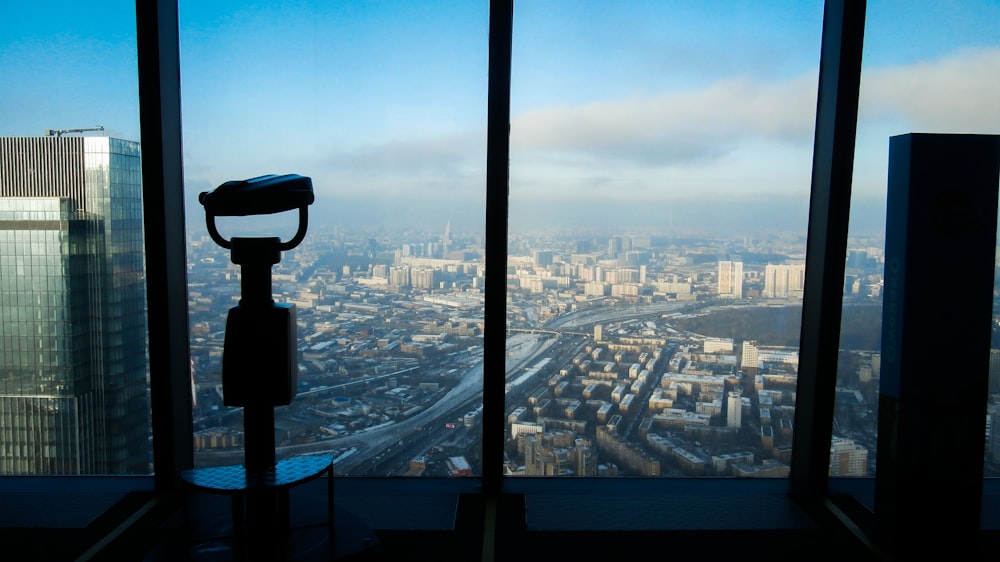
(658, 184)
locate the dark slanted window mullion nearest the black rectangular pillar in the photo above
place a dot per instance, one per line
(829, 210)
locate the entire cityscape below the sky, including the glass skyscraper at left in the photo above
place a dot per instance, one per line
(632, 354)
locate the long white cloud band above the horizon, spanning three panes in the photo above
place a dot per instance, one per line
(737, 135)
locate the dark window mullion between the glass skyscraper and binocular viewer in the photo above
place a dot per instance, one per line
(163, 214)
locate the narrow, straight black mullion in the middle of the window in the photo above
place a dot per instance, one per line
(497, 174)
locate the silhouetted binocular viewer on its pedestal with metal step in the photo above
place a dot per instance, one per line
(259, 372)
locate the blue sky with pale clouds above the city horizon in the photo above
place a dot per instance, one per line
(668, 113)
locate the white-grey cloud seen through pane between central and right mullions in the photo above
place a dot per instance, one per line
(673, 128)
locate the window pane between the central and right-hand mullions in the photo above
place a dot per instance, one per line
(660, 175)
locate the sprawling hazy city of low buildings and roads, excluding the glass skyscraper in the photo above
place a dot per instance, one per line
(603, 376)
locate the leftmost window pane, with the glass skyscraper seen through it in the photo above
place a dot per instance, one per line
(73, 367)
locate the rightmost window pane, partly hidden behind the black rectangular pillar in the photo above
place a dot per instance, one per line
(927, 68)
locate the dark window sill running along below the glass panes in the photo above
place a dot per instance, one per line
(546, 516)
